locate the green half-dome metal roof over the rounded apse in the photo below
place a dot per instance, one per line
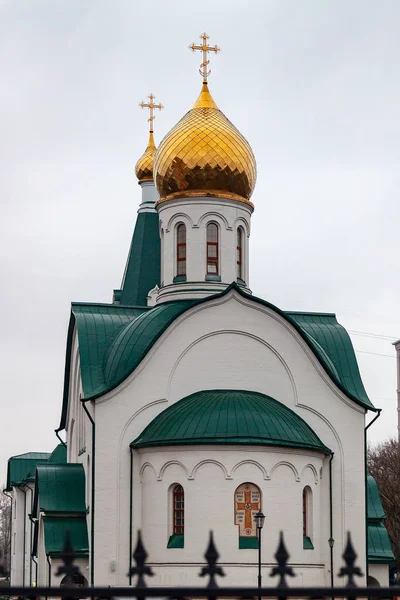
(229, 417)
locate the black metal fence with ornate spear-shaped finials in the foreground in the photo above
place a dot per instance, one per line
(212, 571)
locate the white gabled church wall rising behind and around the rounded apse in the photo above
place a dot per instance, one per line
(200, 351)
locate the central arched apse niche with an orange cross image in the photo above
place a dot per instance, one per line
(247, 504)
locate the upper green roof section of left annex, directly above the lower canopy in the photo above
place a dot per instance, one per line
(60, 489)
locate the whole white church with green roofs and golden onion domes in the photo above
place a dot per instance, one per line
(190, 405)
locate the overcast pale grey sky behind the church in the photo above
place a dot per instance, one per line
(312, 84)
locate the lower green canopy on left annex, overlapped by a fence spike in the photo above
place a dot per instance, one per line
(55, 529)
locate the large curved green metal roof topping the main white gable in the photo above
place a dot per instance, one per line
(114, 339)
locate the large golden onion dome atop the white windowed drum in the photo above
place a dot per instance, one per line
(205, 155)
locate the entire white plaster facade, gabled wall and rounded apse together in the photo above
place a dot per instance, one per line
(227, 343)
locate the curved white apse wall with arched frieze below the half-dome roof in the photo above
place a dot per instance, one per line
(209, 476)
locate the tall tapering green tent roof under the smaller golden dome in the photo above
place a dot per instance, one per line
(142, 272)
